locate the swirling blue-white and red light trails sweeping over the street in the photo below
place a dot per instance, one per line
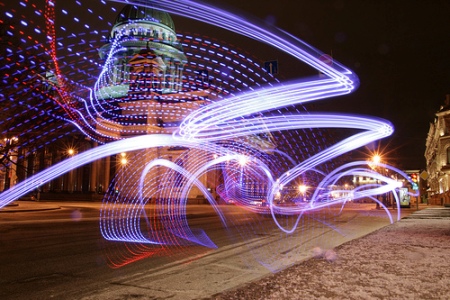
(240, 121)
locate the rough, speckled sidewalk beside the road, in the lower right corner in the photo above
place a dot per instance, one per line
(409, 259)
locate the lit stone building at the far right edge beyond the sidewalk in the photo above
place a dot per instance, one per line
(437, 155)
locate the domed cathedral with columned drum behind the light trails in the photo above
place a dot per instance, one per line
(142, 91)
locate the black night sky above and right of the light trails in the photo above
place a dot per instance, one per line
(399, 49)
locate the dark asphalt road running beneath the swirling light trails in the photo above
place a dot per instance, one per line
(61, 254)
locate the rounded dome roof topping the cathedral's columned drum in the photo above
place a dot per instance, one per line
(133, 12)
